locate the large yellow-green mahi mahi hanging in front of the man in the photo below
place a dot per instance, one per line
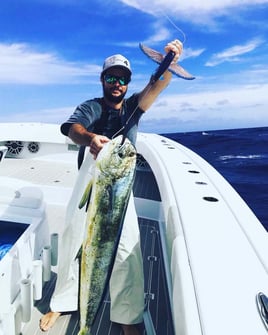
(109, 194)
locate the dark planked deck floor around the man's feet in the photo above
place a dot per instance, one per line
(155, 295)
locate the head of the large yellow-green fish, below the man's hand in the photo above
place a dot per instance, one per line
(117, 157)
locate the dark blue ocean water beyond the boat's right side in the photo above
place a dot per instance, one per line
(241, 156)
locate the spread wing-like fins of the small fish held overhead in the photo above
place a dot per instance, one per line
(173, 67)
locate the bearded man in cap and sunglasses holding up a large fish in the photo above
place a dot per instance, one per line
(94, 123)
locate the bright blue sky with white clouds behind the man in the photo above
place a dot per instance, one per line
(51, 54)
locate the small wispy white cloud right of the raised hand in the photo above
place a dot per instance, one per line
(232, 54)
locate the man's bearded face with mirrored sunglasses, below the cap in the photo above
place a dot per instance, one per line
(114, 84)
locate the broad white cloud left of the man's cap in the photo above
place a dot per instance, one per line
(19, 63)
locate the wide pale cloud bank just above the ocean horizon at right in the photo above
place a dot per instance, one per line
(238, 106)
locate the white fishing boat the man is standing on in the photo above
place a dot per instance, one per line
(205, 252)
